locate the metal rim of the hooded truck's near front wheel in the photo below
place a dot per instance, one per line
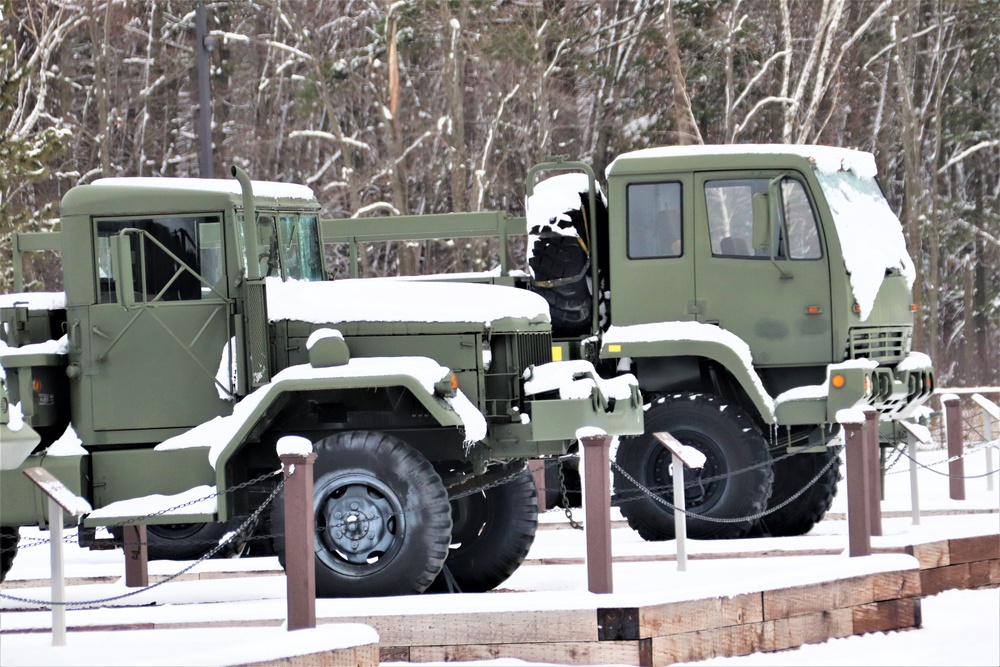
(360, 524)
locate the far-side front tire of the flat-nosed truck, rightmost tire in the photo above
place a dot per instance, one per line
(790, 476)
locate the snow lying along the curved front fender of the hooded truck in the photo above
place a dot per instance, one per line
(217, 433)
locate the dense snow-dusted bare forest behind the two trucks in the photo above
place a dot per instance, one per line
(425, 106)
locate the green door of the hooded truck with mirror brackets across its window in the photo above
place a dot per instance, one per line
(157, 359)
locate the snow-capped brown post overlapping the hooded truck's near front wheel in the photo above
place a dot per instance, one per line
(300, 557)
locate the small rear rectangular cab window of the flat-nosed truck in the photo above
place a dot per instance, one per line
(654, 220)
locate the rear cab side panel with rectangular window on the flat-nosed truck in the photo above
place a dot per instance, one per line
(652, 255)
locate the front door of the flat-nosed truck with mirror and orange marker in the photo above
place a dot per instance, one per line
(777, 298)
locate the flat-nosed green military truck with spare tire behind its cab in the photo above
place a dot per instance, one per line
(753, 290)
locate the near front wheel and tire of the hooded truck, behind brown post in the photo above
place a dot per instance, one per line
(399, 543)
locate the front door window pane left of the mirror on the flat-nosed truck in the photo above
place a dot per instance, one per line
(730, 215)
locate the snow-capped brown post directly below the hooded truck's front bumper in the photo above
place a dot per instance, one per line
(597, 505)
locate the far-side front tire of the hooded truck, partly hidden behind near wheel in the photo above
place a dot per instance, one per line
(493, 531)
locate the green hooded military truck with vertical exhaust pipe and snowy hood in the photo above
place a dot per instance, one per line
(198, 327)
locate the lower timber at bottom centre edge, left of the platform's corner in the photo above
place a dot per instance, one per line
(573, 653)
